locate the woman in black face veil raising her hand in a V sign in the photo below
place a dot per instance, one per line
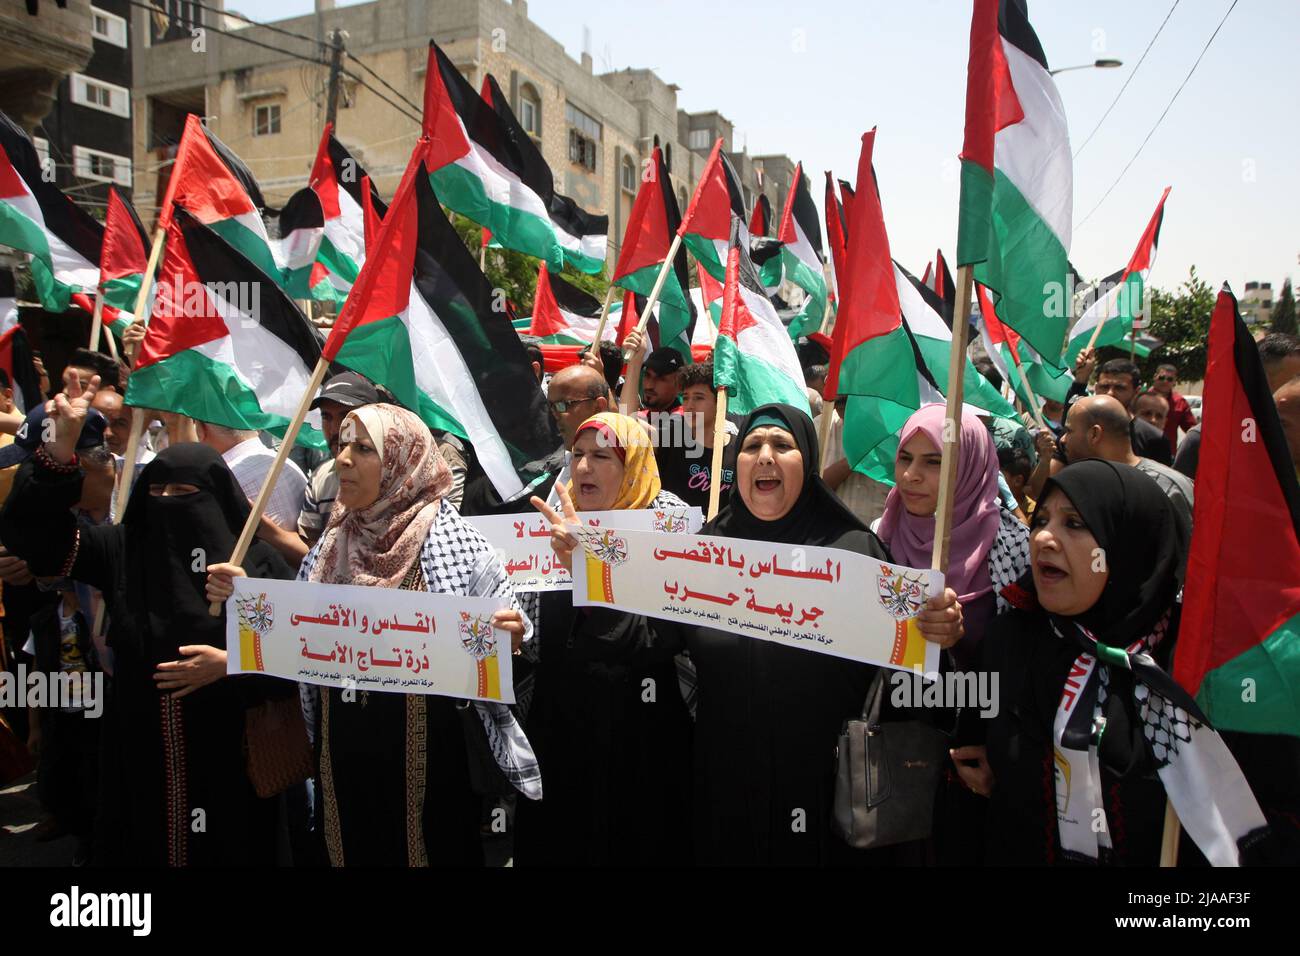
(175, 789)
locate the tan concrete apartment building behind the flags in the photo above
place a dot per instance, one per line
(596, 131)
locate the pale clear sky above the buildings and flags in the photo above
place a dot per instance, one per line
(808, 80)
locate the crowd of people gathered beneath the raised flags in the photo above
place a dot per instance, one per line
(733, 763)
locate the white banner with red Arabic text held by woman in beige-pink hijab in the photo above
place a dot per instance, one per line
(370, 639)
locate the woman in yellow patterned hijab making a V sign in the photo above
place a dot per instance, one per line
(612, 730)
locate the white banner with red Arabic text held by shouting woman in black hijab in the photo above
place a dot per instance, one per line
(818, 599)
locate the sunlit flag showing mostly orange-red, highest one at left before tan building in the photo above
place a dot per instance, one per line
(218, 189)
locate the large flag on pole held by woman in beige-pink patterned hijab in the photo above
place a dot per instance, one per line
(422, 322)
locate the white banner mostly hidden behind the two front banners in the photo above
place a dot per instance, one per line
(523, 543)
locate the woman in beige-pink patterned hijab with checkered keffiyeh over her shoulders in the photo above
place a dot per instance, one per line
(397, 786)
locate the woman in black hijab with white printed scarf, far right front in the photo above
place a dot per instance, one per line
(1089, 730)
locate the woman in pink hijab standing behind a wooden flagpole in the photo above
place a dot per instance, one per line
(990, 550)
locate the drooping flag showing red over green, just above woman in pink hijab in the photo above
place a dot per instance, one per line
(873, 358)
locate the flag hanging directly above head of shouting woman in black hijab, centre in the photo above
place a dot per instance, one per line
(755, 358)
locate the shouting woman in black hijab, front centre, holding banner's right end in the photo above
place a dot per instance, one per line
(769, 716)
